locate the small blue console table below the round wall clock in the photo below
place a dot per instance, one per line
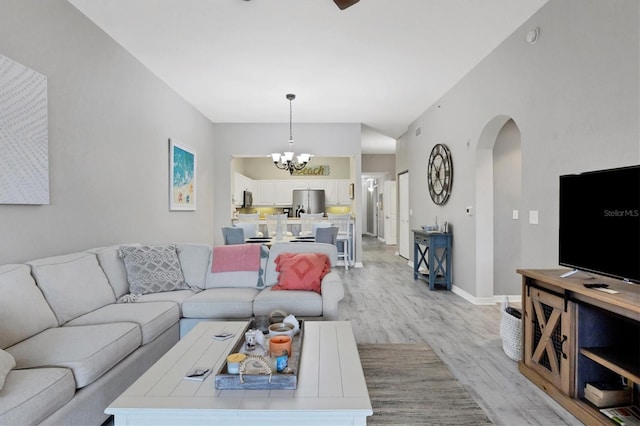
(433, 251)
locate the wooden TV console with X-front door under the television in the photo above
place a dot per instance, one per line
(574, 335)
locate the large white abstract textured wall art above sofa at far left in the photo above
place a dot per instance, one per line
(24, 138)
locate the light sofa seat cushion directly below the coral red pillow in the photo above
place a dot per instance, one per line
(296, 302)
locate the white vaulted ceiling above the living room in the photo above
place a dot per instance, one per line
(380, 62)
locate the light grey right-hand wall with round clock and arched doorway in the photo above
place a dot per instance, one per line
(574, 95)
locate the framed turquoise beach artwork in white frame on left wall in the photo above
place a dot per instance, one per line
(182, 177)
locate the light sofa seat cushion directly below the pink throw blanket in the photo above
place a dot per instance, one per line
(220, 303)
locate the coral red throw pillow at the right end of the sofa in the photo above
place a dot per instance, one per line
(301, 271)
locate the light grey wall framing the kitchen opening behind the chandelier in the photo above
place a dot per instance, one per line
(257, 139)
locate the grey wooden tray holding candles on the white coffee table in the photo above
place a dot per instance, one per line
(253, 379)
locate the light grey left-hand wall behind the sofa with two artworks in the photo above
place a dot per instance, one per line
(109, 124)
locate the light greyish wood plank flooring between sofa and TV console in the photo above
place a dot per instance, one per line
(385, 305)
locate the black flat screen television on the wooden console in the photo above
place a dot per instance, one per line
(600, 222)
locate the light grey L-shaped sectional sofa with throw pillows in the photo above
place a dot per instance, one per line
(76, 330)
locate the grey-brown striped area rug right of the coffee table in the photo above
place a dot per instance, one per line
(409, 385)
